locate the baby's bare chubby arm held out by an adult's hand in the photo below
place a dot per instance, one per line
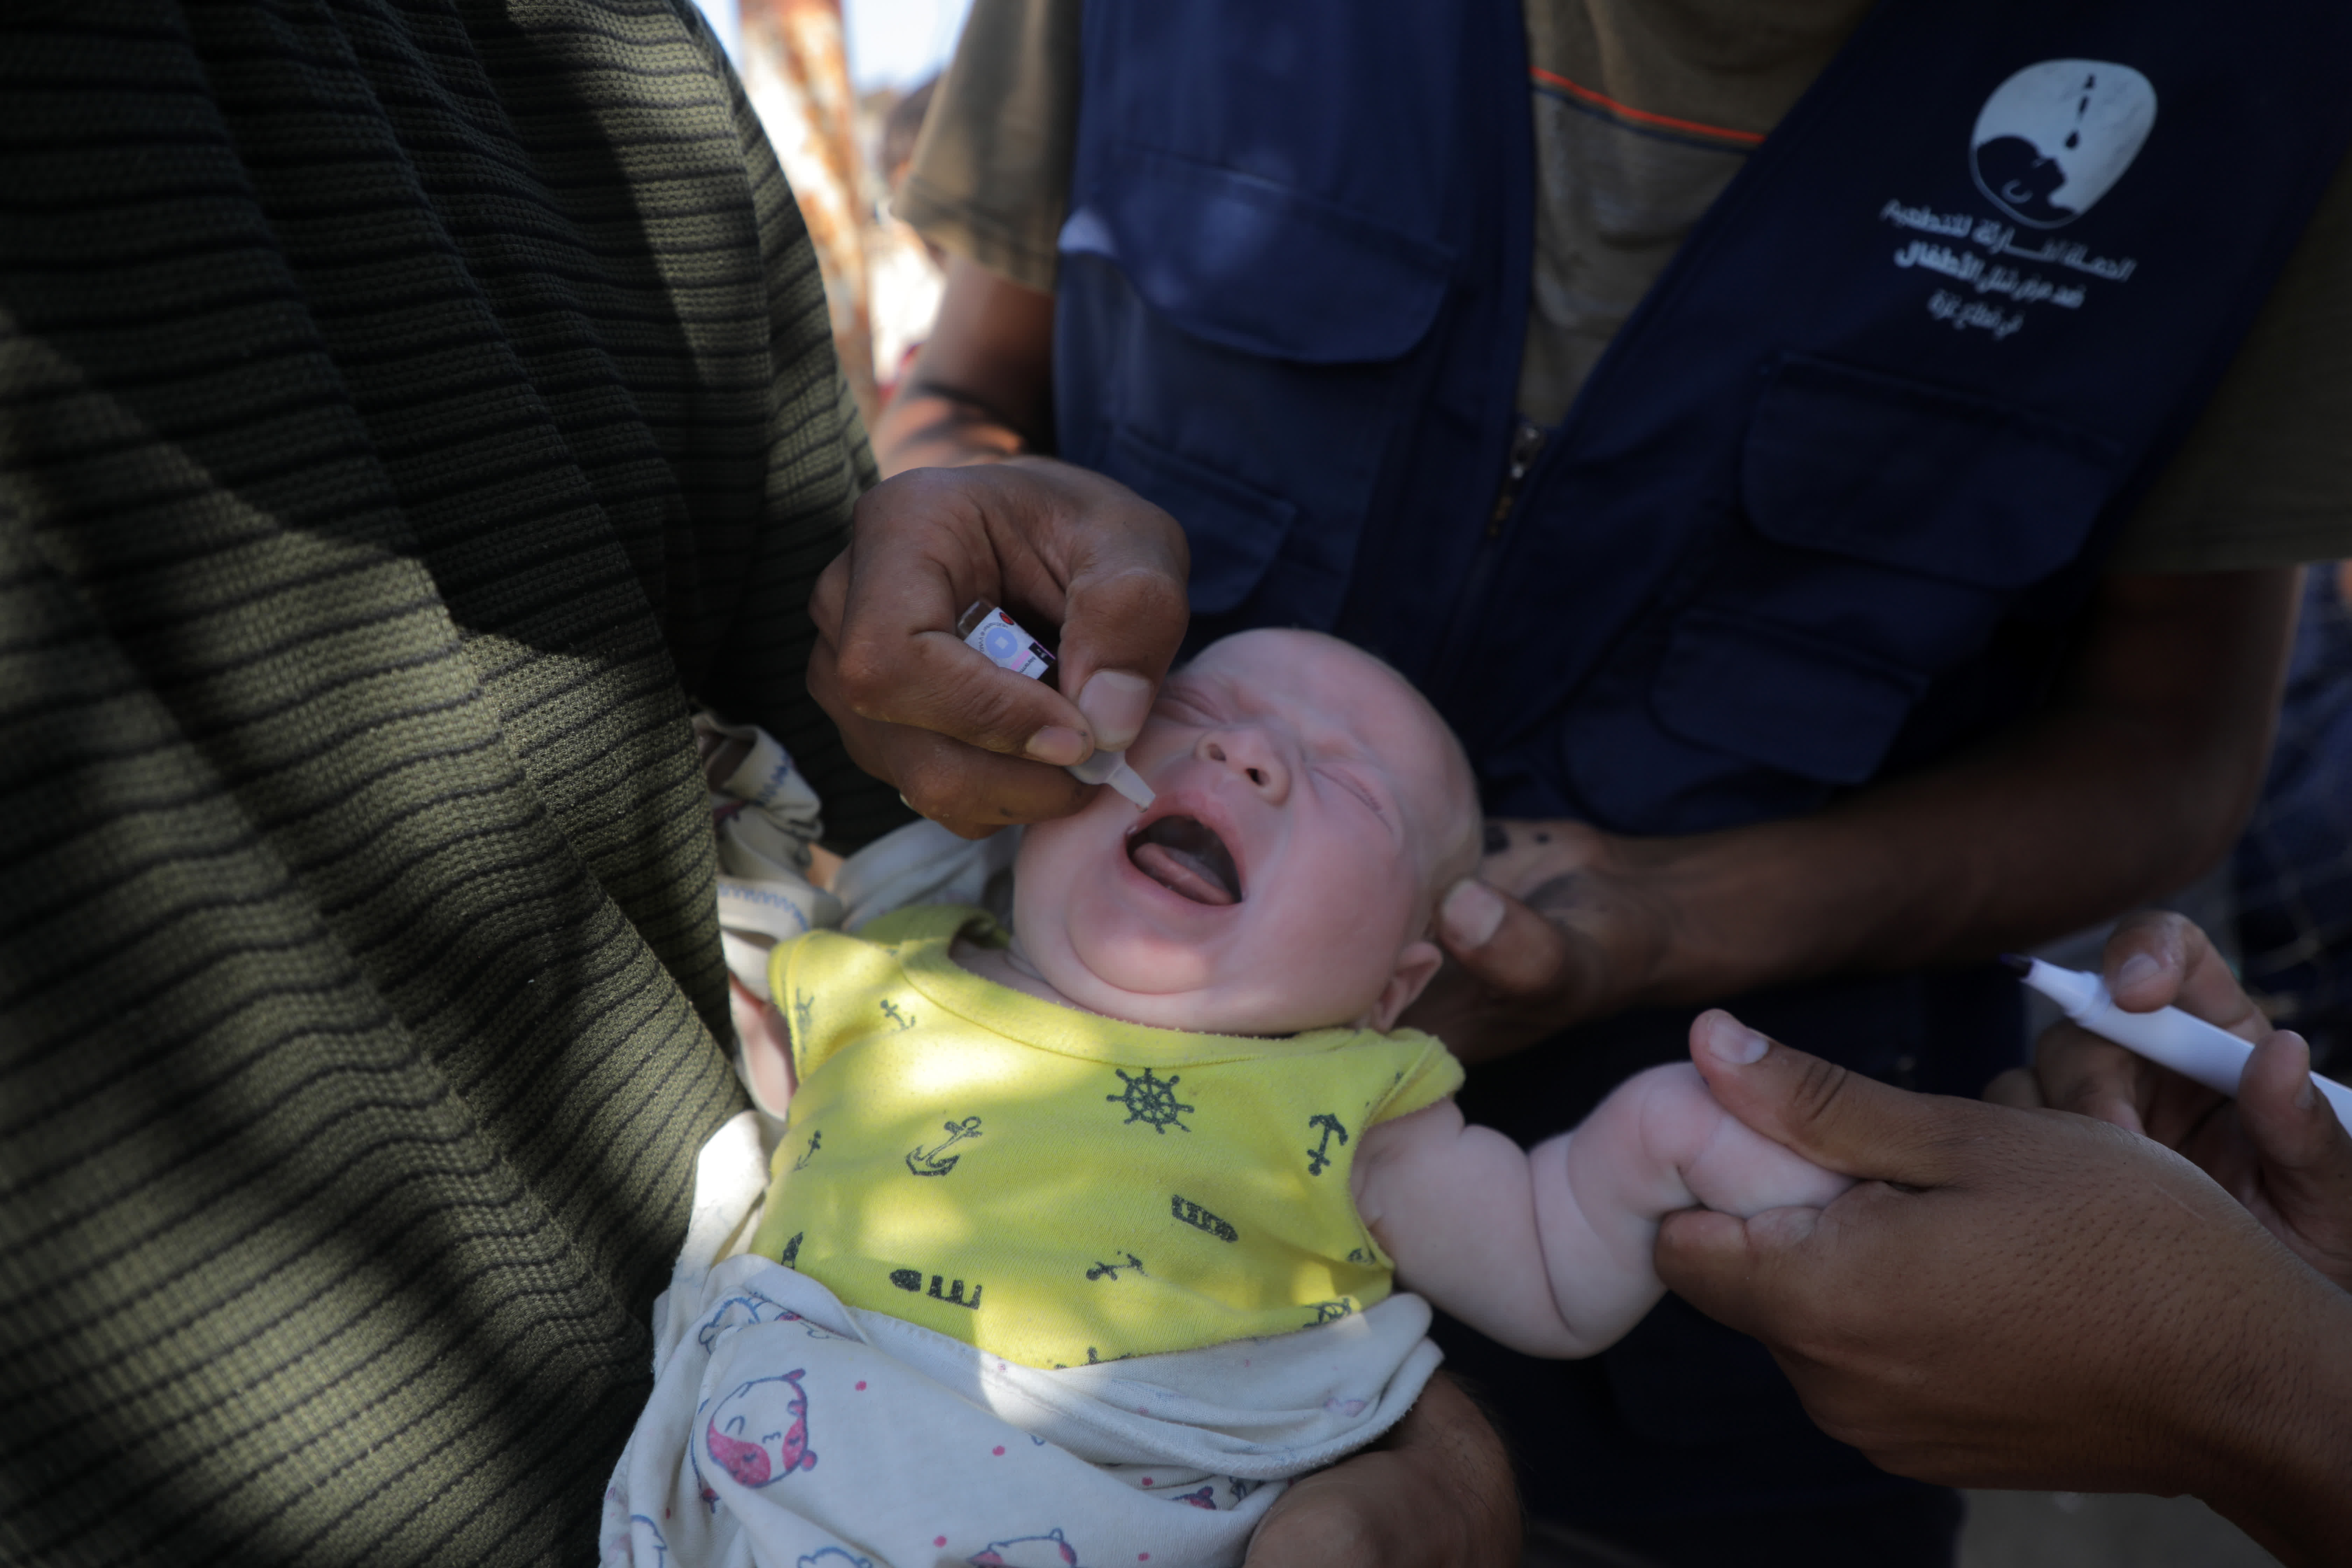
(1549, 1249)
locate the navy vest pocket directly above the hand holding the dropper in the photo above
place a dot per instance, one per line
(1250, 323)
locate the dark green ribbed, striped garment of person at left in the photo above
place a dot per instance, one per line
(403, 410)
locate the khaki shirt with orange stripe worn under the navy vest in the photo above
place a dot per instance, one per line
(1643, 114)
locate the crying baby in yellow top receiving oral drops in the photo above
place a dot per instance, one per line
(1107, 1219)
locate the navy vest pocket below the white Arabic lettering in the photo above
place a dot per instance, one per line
(1887, 528)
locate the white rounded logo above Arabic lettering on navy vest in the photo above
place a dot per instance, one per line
(2054, 138)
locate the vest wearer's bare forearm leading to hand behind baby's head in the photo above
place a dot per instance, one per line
(2127, 786)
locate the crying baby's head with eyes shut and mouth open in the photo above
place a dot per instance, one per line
(1283, 878)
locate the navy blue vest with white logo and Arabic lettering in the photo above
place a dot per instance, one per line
(1824, 514)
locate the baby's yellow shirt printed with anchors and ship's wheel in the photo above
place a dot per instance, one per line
(1064, 1188)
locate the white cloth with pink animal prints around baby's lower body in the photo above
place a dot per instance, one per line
(799, 1433)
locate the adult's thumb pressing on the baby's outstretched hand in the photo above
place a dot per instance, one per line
(1822, 1111)
